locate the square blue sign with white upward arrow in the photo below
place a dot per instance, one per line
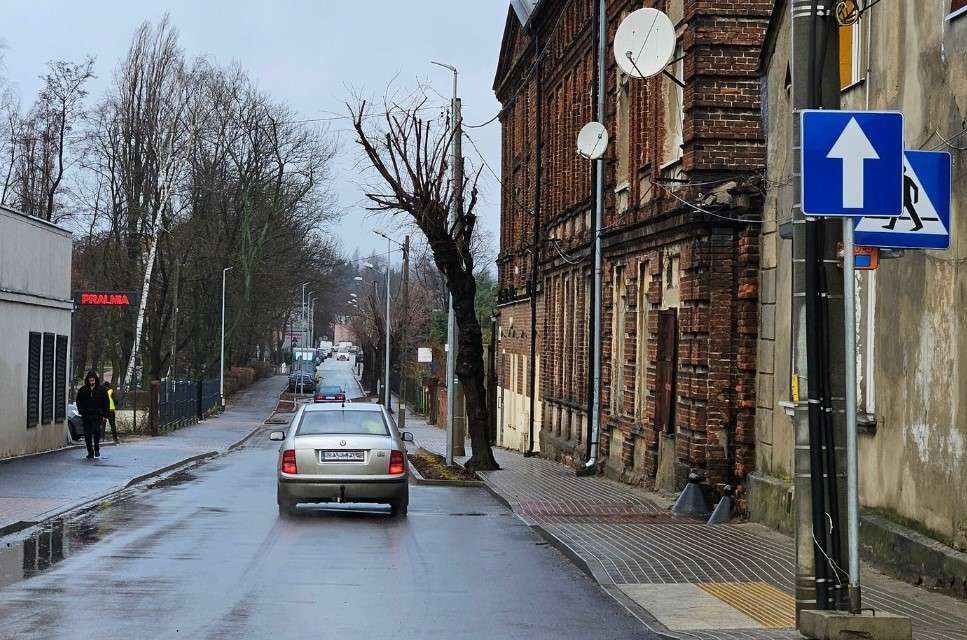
(852, 163)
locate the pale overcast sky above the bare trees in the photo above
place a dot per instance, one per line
(308, 53)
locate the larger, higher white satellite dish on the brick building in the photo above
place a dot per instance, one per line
(644, 43)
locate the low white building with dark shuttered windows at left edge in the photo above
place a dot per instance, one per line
(35, 323)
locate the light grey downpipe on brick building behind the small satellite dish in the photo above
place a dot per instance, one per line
(590, 467)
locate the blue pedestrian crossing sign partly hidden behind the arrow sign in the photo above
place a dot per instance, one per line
(925, 221)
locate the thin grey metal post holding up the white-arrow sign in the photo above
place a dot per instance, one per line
(852, 464)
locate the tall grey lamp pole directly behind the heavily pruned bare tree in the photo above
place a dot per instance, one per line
(455, 435)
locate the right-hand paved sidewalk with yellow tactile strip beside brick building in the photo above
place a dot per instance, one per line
(681, 578)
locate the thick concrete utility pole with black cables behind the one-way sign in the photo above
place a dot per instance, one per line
(818, 341)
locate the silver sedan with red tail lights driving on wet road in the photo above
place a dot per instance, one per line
(347, 452)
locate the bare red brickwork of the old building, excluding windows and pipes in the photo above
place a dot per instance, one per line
(722, 140)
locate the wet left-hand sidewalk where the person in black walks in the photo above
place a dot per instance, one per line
(38, 487)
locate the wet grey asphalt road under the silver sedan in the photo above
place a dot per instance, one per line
(204, 554)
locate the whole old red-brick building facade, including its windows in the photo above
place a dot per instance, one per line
(683, 198)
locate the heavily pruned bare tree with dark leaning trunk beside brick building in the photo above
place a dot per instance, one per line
(410, 156)
